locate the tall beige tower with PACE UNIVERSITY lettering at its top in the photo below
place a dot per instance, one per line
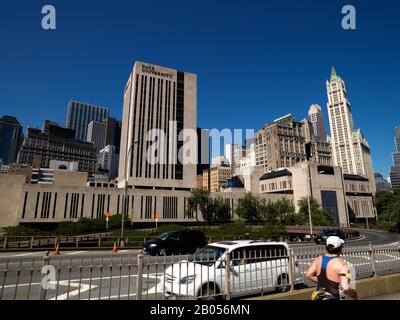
(159, 103)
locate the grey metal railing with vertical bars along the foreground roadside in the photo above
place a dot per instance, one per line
(142, 277)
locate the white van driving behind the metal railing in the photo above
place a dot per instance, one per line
(255, 267)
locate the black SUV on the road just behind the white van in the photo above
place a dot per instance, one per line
(176, 242)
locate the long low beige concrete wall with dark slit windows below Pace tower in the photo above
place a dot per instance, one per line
(28, 203)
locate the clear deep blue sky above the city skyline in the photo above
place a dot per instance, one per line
(255, 60)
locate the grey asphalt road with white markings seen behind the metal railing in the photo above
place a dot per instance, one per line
(104, 275)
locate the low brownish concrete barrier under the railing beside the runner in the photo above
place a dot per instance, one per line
(366, 288)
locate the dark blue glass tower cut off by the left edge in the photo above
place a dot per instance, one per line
(10, 139)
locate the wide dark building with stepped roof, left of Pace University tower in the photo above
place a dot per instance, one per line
(55, 142)
